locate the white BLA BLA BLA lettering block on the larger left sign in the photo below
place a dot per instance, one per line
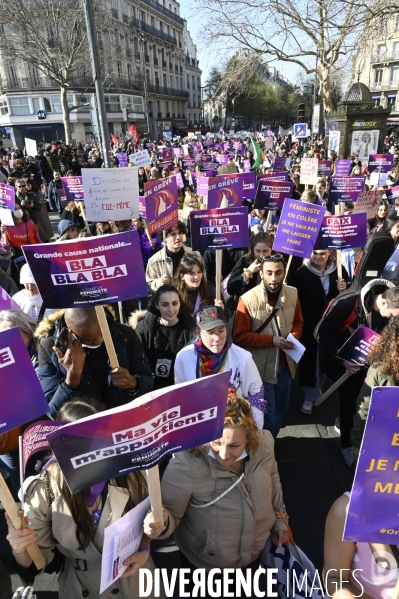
(88, 270)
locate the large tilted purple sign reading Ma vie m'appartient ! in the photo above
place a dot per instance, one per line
(138, 435)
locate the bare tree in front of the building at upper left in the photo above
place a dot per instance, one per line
(47, 40)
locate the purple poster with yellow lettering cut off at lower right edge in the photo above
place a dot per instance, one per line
(373, 515)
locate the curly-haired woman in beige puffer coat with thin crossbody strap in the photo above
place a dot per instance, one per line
(224, 499)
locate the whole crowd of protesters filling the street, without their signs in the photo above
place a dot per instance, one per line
(187, 329)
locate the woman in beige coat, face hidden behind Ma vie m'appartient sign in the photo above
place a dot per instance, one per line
(66, 522)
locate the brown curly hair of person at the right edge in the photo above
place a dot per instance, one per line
(385, 353)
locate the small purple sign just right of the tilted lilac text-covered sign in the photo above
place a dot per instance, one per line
(339, 232)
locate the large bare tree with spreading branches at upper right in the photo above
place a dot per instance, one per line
(317, 35)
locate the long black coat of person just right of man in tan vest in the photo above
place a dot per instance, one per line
(314, 302)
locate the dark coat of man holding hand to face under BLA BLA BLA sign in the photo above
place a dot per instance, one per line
(52, 374)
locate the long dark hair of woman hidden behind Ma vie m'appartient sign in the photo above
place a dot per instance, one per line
(134, 483)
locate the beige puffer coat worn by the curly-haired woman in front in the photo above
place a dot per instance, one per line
(232, 532)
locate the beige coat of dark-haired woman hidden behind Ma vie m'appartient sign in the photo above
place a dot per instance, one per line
(55, 527)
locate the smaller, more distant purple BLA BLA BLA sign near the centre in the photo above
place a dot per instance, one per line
(219, 229)
